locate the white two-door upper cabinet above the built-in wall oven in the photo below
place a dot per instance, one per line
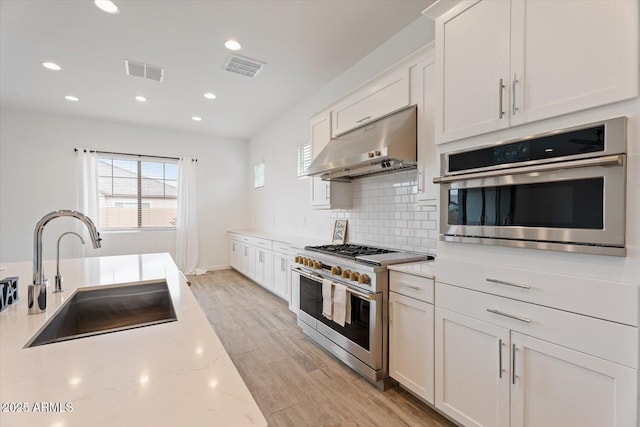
(505, 63)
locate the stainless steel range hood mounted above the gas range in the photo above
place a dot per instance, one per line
(385, 145)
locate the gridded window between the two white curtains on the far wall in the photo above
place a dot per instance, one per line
(137, 192)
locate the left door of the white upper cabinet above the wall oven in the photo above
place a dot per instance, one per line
(472, 53)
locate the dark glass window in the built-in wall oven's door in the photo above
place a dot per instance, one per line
(575, 204)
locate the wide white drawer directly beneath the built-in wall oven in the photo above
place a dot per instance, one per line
(614, 301)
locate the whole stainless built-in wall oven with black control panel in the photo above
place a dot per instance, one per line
(563, 190)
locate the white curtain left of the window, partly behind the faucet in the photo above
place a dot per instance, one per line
(87, 191)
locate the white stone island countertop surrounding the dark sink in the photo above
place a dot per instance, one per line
(171, 374)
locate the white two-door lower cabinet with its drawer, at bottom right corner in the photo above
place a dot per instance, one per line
(496, 373)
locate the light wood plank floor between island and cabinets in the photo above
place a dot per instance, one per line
(294, 382)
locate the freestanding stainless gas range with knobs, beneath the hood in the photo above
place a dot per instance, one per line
(363, 343)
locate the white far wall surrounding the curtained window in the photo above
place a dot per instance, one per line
(38, 175)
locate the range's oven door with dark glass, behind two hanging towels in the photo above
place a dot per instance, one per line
(362, 337)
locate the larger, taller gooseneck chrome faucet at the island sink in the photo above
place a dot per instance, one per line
(37, 292)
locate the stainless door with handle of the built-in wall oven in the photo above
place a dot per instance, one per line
(576, 206)
